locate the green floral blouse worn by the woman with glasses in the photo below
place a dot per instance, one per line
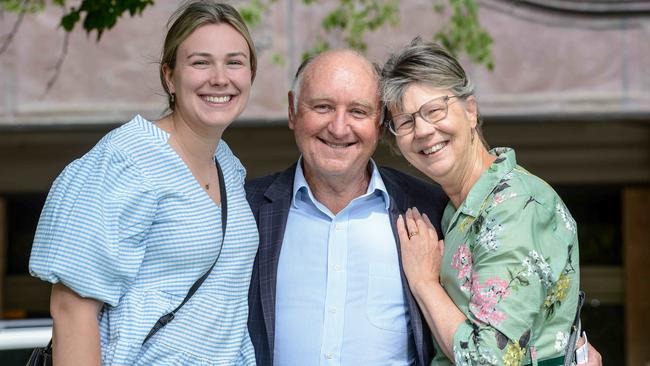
(511, 266)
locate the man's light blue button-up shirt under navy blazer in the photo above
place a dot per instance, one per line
(339, 295)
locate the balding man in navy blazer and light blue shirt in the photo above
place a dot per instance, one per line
(300, 311)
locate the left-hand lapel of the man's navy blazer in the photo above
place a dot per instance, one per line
(272, 222)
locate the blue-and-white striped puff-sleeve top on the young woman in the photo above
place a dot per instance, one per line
(128, 224)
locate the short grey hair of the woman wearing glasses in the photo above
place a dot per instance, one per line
(427, 63)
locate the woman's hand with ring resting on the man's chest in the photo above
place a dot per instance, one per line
(421, 250)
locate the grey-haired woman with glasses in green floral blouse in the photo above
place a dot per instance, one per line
(503, 289)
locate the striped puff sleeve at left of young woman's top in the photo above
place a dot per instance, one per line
(90, 235)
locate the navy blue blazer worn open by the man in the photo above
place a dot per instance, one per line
(270, 199)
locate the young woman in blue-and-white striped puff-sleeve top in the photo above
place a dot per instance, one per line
(128, 228)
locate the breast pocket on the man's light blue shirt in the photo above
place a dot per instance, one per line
(386, 305)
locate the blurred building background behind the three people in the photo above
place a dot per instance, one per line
(568, 88)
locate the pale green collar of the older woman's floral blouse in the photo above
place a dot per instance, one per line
(505, 162)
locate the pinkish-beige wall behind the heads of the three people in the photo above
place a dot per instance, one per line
(547, 63)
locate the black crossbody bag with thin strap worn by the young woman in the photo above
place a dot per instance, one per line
(42, 356)
